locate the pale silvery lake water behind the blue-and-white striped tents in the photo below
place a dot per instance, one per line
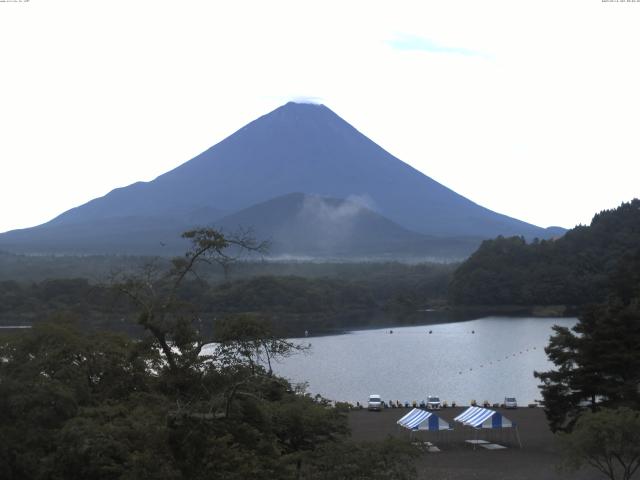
(483, 359)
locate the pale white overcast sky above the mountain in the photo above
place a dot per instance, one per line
(530, 108)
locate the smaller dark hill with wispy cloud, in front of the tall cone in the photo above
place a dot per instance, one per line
(299, 224)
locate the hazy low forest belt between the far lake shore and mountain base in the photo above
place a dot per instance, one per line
(297, 297)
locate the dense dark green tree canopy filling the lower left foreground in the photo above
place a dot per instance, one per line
(77, 405)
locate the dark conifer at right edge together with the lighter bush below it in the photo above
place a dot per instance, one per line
(592, 392)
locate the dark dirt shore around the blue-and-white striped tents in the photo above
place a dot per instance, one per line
(536, 460)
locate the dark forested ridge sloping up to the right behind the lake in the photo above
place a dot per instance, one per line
(572, 270)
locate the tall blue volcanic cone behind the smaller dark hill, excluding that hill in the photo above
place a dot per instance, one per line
(298, 147)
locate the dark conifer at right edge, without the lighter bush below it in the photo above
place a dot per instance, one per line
(598, 361)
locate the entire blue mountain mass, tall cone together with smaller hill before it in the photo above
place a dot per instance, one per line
(301, 149)
